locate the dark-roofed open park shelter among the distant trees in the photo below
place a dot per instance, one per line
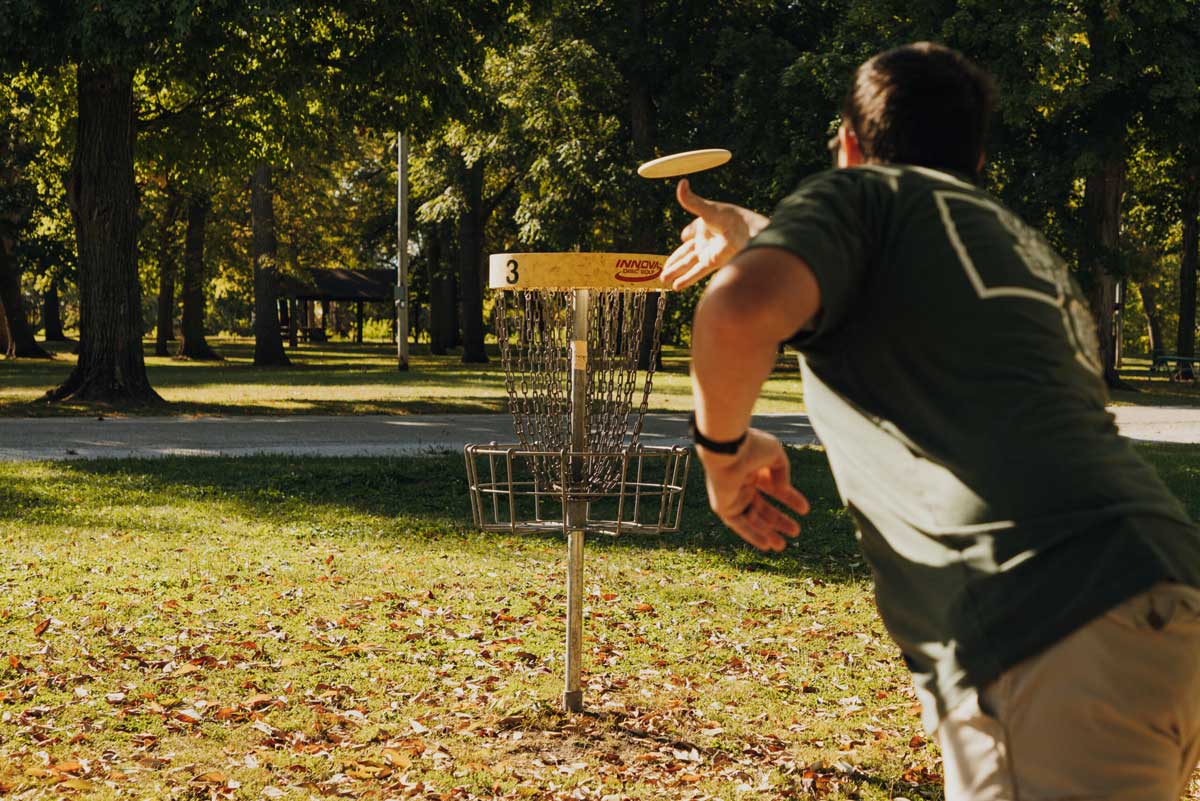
(301, 296)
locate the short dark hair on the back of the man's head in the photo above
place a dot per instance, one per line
(921, 104)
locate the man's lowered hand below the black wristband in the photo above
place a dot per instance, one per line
(737, 486)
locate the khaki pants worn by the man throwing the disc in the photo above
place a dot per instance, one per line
(1113, 712)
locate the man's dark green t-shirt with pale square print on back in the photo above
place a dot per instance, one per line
(952, 376)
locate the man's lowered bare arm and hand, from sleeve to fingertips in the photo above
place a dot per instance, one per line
(763, 298)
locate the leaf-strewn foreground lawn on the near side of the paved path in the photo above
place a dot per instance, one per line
(281, 628)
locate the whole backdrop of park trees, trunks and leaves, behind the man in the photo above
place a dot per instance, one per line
(278, 119)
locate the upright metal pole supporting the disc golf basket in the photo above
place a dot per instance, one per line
(577, 510)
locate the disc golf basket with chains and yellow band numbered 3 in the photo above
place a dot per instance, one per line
(571, 329)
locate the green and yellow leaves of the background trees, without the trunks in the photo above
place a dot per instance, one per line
(541, 98)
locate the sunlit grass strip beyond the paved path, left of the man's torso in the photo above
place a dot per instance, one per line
(338, 378)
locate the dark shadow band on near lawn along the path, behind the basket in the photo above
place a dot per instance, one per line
(428, 496)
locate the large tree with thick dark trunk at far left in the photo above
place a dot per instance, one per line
(107, 45)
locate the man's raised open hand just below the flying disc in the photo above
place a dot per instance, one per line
(711, 240)
